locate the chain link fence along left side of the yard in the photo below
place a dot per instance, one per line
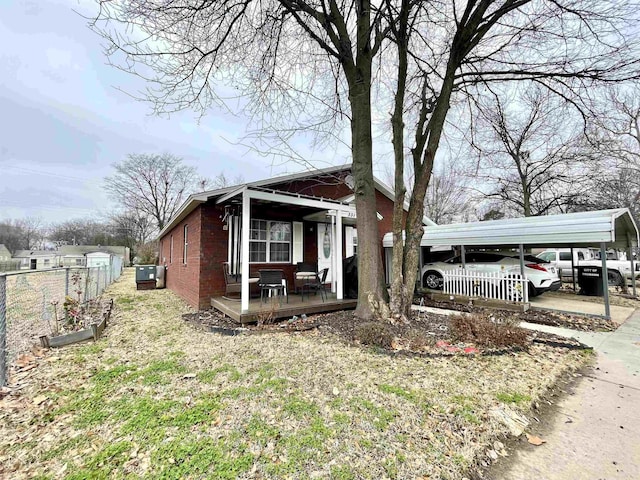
(31, 302)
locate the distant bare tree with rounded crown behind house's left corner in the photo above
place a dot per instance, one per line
(153, 184)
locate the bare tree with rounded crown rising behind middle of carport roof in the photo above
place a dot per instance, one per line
(533, 156)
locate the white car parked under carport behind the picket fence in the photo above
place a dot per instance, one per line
(542, 276)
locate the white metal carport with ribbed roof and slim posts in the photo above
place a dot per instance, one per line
(613, 228)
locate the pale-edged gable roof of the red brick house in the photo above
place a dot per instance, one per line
(196, 199)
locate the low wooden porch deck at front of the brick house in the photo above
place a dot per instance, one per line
(311, 304)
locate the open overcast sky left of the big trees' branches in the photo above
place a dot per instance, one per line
(64, 122)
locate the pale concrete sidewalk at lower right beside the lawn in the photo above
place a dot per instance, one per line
(595, 433)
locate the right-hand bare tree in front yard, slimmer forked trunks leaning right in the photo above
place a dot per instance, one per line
(453, 53)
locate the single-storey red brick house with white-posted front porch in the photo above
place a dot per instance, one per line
(269, 224)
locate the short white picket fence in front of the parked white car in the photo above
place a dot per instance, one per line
(505, 286)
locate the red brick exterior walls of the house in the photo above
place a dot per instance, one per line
(202, 277)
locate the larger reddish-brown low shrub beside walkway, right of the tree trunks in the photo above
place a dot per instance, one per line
(484, 330)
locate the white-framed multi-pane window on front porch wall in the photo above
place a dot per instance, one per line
(270, 242)
